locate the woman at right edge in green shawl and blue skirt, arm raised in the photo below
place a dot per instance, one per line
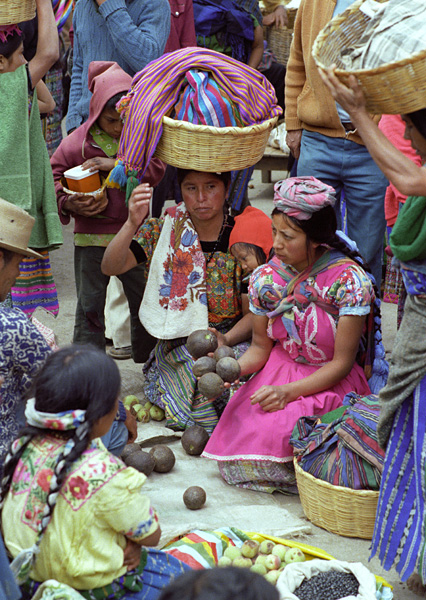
(399, 531)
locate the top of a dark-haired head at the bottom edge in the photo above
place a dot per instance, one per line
(220, 583)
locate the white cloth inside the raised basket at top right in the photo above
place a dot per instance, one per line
(395, 32)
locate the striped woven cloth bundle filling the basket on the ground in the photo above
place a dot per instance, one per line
(344, 450)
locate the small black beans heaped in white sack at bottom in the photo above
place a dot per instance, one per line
(329, 585)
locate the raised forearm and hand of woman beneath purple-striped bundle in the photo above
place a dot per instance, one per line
(118, 257)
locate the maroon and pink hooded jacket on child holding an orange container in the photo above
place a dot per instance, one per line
(105, 80)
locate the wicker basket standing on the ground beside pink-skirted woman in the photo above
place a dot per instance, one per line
(338, 509)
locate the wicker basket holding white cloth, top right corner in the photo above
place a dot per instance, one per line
(393, 88)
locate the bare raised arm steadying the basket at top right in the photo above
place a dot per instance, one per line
(405, 175)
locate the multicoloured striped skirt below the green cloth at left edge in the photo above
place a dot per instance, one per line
(35, 286)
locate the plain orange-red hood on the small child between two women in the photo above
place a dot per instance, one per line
(252, 226)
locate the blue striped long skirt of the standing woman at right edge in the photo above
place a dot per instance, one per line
(399, 533)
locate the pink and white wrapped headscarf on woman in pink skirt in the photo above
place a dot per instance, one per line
(299, 197)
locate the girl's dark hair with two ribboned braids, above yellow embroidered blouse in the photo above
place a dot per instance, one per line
(77, 377)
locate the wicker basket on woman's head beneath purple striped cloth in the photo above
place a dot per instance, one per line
(212, 149)
